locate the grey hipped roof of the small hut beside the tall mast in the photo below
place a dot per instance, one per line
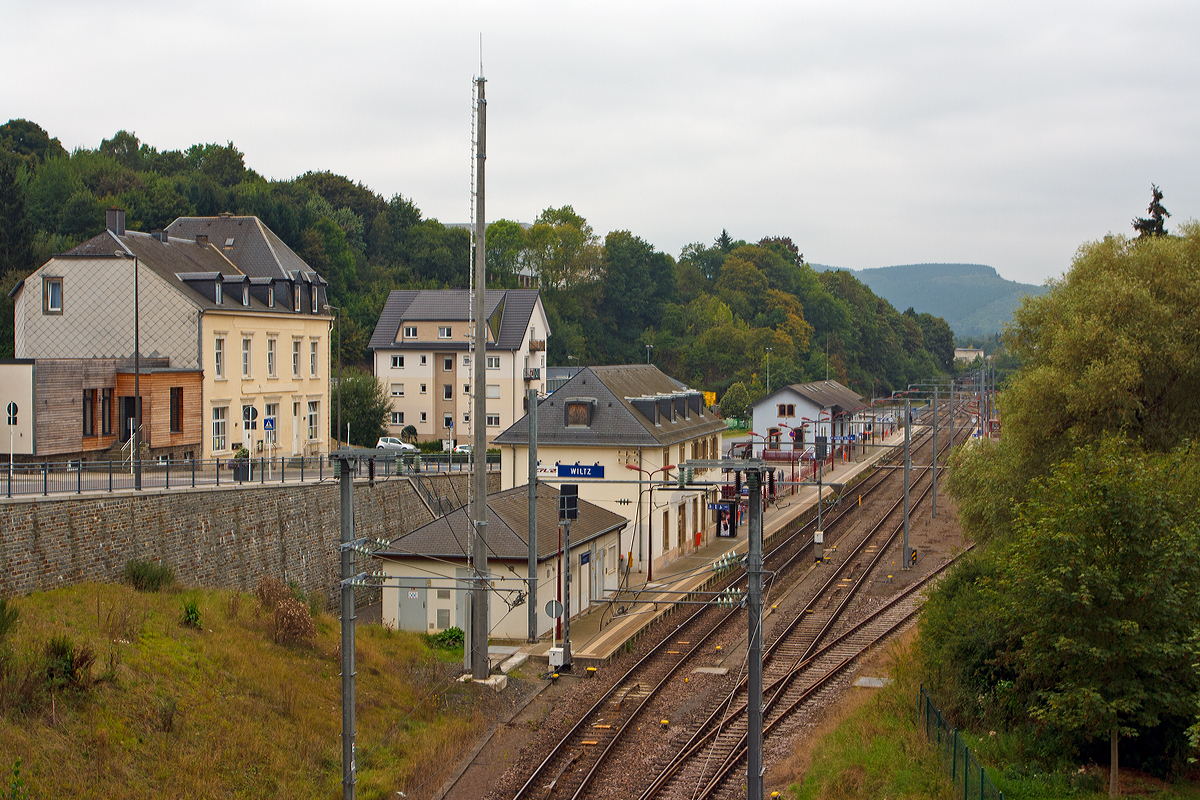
(508, 525)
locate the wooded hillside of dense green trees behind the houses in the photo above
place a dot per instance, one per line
(711, 315)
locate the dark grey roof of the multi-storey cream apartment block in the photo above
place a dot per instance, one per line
(515, 309)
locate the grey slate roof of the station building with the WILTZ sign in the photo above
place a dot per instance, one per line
(621, 416)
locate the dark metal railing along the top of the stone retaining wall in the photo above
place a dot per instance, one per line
(76, 478)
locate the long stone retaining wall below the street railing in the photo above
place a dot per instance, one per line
(226, 538)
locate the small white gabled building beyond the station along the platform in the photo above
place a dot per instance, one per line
(793, 417)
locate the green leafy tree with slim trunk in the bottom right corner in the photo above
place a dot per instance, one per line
(1107, 592)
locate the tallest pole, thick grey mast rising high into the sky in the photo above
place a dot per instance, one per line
(479, 606)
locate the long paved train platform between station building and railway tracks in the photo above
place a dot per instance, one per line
(603, 630)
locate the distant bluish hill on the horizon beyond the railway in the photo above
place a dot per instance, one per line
(971, 298)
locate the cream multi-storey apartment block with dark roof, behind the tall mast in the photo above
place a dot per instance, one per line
(422, 351)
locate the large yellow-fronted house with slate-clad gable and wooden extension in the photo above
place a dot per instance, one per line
(223, 350)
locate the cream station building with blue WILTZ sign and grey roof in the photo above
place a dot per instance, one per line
(605, 422)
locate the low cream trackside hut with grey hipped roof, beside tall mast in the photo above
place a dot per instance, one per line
(430, 566)
